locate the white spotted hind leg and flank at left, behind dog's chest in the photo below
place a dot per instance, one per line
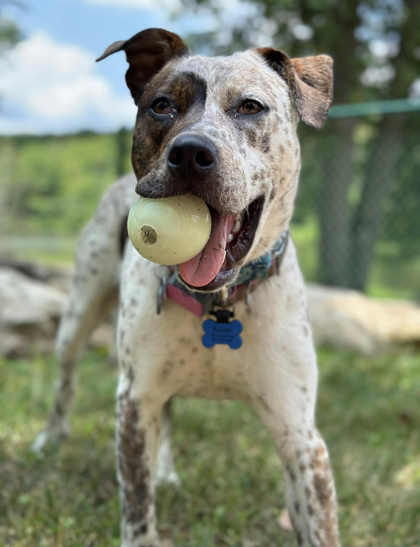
(93, 295)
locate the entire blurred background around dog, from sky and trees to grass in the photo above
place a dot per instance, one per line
(65, 136)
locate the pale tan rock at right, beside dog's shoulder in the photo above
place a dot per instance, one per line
(350, 320)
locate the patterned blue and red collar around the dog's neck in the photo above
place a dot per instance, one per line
(250, 276)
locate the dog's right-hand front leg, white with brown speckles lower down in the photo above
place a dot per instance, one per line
(286, 405)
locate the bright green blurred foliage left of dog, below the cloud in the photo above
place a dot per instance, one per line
(53, 184)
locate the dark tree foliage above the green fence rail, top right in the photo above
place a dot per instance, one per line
(370, 40)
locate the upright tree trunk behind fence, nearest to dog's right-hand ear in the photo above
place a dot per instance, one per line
(333, 207)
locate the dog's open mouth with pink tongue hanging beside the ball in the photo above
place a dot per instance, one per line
(230, 240)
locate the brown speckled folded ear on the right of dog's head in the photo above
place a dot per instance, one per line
(309, 80)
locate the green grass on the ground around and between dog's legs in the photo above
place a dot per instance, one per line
(232, 490)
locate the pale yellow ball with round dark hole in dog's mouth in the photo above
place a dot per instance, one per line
(169, 230)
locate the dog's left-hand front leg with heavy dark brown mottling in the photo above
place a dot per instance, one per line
(138, 425)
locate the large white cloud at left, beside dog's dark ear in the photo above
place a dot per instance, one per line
(47, 86)
